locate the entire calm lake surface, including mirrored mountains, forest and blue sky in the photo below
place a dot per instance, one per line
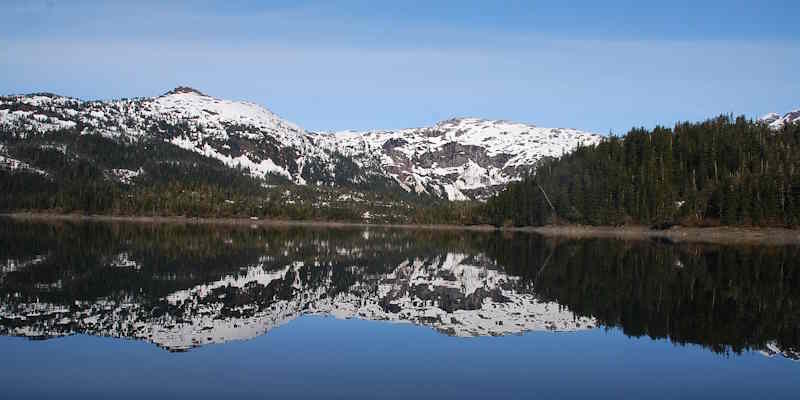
(143, 311)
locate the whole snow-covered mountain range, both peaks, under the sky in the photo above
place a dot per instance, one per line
(456, 159)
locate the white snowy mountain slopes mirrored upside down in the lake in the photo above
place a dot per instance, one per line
(456, 294)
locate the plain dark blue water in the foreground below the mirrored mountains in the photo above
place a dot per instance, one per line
(318, 357)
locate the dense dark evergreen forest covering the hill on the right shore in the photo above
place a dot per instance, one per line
(728, 171)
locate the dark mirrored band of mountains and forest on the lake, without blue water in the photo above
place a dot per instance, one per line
(182, 286)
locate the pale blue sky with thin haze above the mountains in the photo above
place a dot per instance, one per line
(334, 65)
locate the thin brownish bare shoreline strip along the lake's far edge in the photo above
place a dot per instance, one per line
(712, 235)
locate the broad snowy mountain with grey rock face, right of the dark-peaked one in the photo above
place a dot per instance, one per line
(459, 158)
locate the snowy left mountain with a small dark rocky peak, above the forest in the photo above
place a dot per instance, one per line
(240, 134)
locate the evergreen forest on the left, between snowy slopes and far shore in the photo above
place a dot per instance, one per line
(71, 173)
